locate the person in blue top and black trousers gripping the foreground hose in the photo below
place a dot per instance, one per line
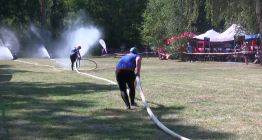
(125, 74)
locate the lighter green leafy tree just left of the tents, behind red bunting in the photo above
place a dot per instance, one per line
(165, 19)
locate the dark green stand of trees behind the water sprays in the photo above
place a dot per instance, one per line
(119, 20)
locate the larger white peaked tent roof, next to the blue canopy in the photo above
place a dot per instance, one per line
(229, 34)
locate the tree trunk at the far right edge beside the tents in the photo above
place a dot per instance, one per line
(258, 12)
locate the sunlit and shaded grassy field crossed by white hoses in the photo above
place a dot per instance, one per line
(199, 100)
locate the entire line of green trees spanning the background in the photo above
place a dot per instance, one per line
(142, 22)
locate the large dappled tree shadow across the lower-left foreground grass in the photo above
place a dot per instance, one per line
(43, 111)
